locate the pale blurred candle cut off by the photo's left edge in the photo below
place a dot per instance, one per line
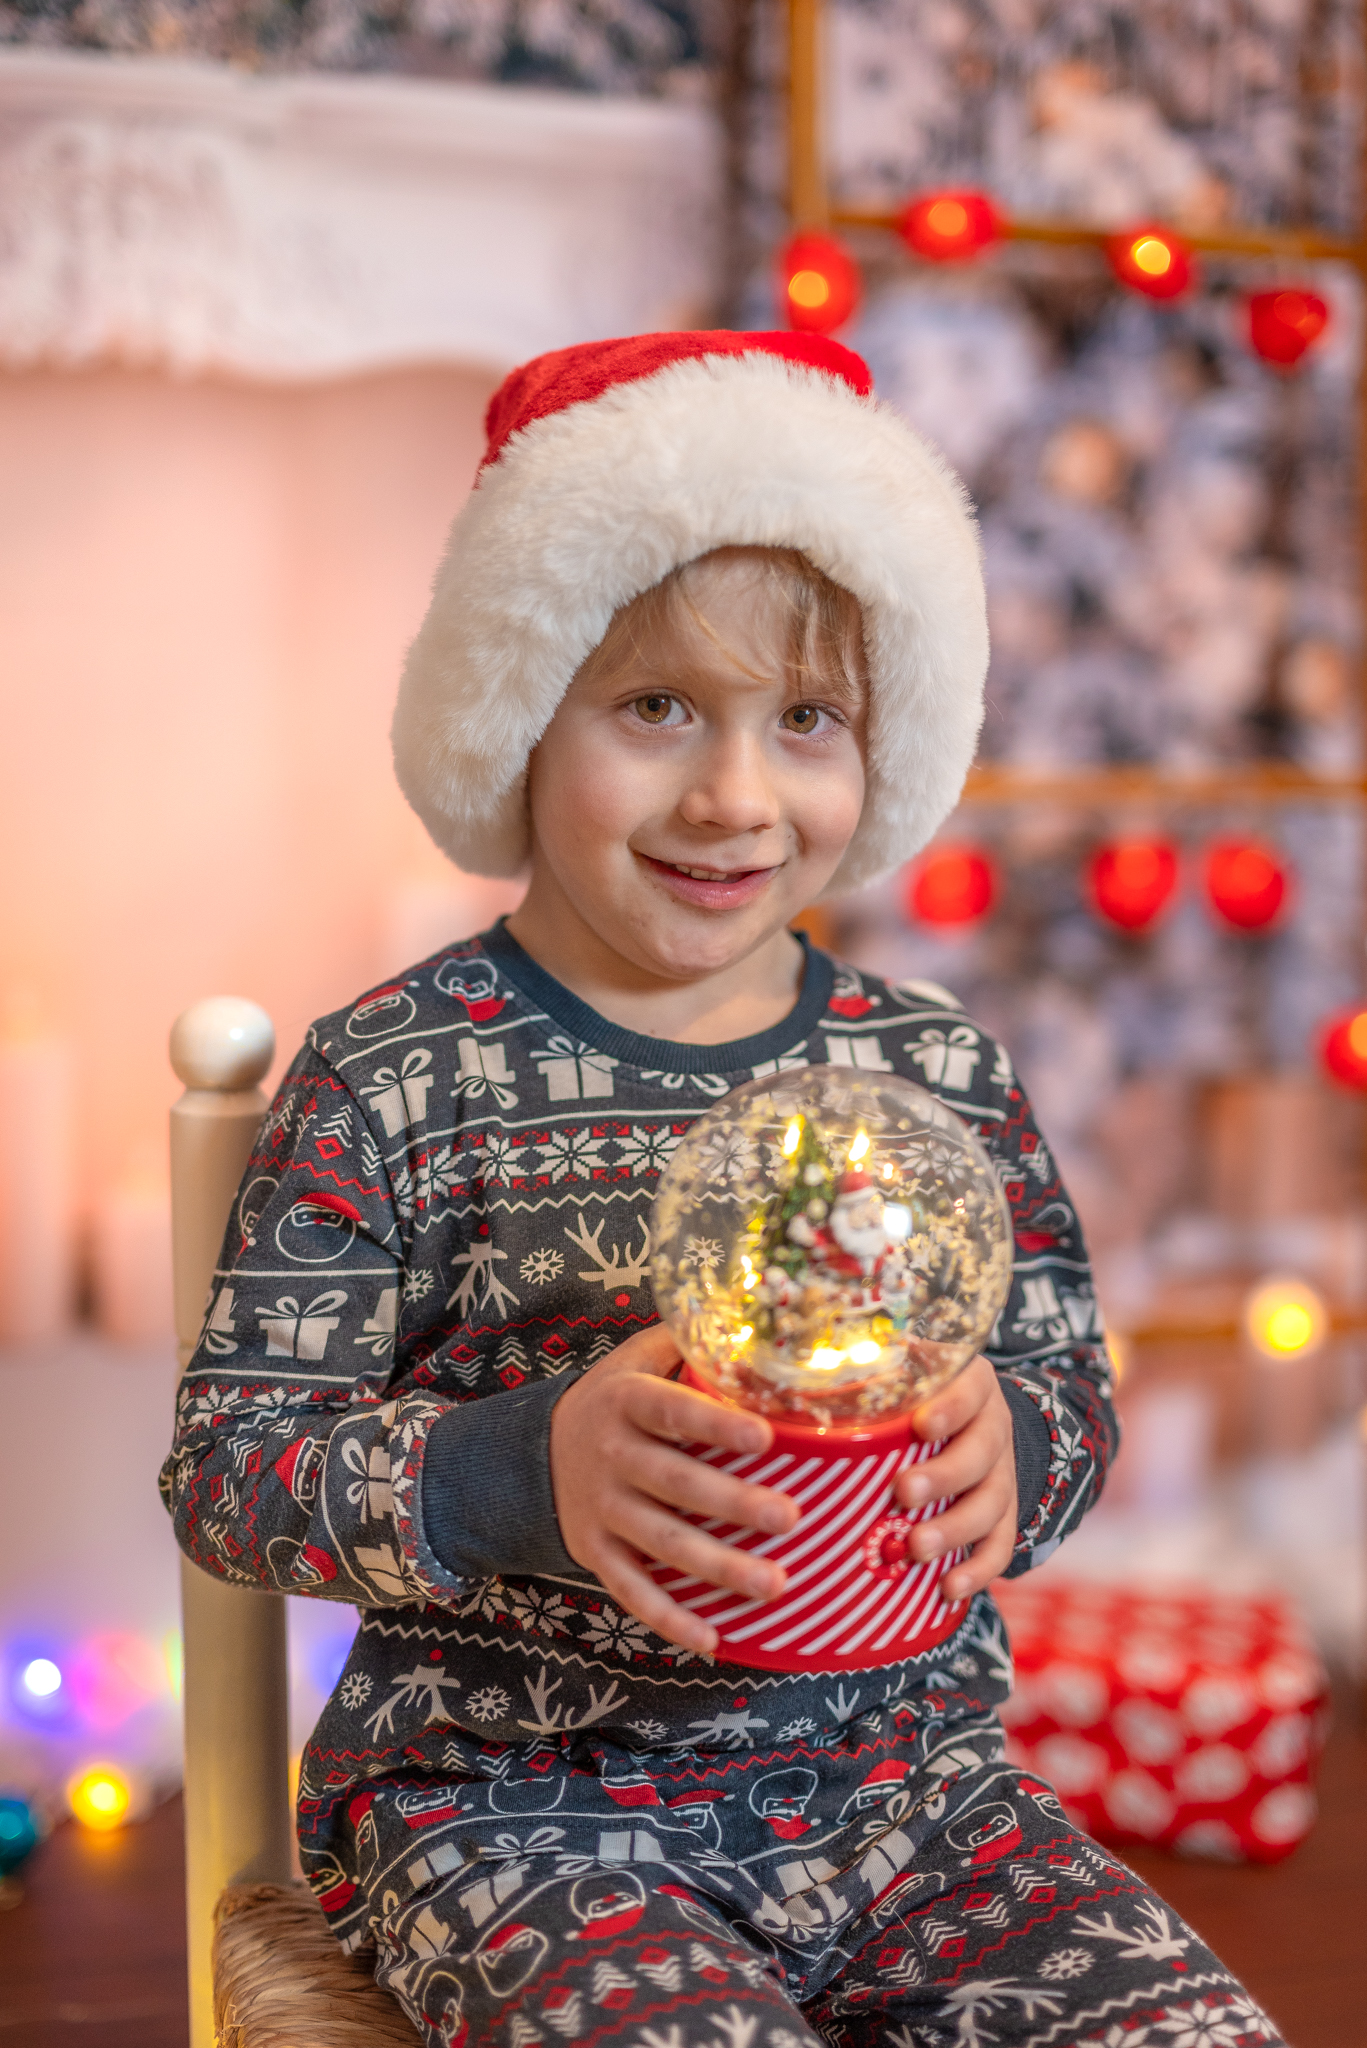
(36, 1189)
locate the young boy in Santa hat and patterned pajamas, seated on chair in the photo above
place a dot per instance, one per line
(708, 642)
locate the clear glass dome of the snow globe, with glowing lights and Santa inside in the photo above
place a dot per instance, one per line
(831, 1246)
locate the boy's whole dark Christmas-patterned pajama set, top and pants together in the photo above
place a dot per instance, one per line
(546, 1822)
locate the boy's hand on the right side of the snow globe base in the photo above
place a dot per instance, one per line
(979, 1465)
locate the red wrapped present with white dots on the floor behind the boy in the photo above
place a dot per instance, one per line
(1186, 1719)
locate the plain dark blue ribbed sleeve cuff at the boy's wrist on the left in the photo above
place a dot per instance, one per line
(487, 1486)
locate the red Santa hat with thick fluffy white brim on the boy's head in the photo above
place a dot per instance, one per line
(618, 462)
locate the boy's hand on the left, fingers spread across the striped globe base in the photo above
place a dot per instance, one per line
(618, 1484)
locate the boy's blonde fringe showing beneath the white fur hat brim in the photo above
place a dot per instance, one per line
(821, 624)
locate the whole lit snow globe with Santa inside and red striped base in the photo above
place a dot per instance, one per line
(829, 1250)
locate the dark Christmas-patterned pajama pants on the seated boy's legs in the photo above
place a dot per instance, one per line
(899, 1885)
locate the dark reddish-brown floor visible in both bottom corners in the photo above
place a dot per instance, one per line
(95, 1949)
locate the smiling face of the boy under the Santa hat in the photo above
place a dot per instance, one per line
(686, 808)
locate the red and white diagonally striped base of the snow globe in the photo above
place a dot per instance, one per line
(854, 1598)
